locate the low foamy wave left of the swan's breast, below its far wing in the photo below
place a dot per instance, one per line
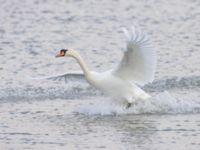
(45, 93)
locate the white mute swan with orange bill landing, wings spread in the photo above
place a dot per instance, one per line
(137, 67)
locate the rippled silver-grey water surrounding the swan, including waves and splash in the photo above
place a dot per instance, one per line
(43, 114)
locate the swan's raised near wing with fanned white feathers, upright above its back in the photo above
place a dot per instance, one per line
(139, 61)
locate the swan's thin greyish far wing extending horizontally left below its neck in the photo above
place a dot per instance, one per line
(75, 76)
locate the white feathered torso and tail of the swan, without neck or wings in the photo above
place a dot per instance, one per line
(116, 87)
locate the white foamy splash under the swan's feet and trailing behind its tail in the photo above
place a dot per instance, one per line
(163, 103)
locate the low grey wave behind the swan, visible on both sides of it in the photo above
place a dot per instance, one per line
(51, 90)
